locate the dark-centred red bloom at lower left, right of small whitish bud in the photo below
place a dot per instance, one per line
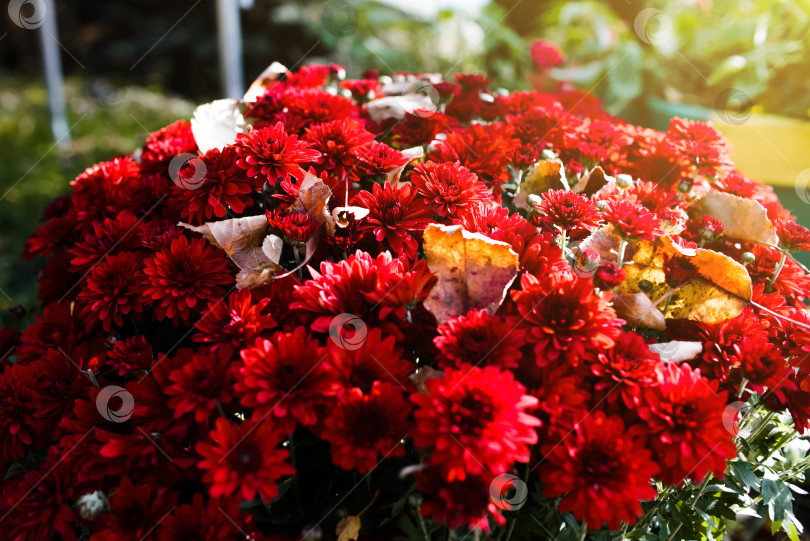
(243, 459)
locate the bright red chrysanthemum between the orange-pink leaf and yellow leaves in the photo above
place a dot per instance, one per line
(565, 317)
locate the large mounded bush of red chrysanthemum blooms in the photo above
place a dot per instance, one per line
(152, 397)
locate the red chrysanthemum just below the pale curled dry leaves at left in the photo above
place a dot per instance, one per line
(230, 325)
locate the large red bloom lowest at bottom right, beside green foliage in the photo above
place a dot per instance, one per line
(601, 471)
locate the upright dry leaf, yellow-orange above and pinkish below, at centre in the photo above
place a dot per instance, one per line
(473, 271)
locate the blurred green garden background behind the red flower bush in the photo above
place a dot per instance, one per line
(133, 67)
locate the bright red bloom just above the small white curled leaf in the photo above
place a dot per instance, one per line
(337, 142)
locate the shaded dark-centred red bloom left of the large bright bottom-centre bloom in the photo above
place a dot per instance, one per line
(366, 428)
